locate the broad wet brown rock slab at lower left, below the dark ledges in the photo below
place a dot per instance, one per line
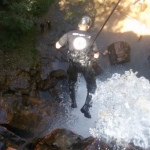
(31, 118)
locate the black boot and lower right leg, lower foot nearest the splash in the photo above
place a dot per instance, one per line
(86, 106)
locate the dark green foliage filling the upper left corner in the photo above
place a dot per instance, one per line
(18, 30)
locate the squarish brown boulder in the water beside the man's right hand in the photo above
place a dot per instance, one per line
(119, 52)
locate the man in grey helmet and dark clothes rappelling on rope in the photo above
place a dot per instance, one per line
(80, 54)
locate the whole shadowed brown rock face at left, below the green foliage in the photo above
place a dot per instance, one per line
(21, 107)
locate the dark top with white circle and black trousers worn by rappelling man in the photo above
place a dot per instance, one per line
(79, 55)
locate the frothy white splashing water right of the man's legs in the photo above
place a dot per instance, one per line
(123, 102)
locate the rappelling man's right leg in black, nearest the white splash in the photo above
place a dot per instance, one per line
(91, 87)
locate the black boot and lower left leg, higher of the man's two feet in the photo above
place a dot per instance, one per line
(72, 92)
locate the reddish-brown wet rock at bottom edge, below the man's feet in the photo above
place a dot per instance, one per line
(64, 139)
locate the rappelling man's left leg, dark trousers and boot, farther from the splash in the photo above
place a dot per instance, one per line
(72, 72)
